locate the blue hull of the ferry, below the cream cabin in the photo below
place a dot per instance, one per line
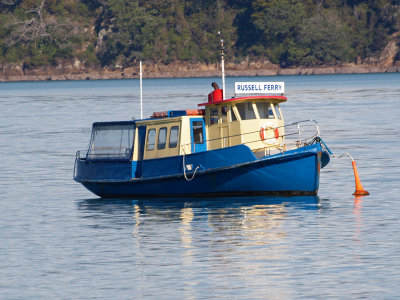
(230, 171)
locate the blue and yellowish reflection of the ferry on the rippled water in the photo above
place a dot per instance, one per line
(249, 221)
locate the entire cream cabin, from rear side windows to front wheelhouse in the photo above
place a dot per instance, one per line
(254, 121)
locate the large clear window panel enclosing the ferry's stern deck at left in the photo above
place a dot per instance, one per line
(112, 141)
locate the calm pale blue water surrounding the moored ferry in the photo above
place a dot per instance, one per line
(58, 241)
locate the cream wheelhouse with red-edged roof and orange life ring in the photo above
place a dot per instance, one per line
(255, 121)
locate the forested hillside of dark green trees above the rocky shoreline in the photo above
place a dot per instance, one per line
(120, 32)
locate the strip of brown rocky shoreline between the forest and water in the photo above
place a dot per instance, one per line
(182, 70)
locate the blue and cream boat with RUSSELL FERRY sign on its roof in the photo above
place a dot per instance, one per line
(238, 146)
